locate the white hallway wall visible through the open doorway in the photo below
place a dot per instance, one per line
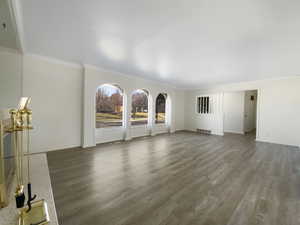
(233, 108)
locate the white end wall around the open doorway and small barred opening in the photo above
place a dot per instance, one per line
(278, 109)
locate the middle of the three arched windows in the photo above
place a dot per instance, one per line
(139, 110)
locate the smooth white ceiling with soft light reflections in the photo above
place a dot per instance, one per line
(188, 43)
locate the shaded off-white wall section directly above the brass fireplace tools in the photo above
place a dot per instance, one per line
(10, 78)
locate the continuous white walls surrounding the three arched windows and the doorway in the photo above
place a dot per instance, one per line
(57, 91)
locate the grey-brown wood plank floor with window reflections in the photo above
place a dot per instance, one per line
(178, 179)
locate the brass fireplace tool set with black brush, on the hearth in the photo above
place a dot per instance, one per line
(34, 213)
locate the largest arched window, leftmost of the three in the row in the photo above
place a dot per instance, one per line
(109, 106)
